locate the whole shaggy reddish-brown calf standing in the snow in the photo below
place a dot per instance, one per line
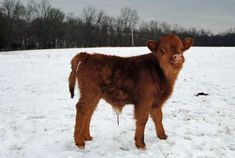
(146, 81)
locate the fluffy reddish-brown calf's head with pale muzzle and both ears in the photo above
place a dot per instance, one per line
(169, 52)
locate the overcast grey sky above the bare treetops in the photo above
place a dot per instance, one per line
(214, 15)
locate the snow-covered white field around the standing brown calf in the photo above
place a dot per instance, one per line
(37, 115)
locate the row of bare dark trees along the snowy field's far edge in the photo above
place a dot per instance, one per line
(39, 25)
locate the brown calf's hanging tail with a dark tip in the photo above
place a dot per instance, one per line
(74, 66)
